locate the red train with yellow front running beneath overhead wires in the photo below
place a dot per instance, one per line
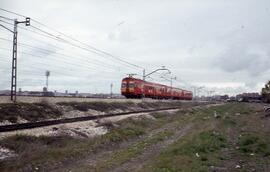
(137, 88)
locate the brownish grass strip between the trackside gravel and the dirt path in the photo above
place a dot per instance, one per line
(54, 149)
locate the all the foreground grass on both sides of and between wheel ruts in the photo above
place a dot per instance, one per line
(215, 140)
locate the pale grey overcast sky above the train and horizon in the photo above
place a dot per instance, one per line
(223, 45)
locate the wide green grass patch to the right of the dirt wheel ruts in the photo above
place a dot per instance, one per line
(212, 136)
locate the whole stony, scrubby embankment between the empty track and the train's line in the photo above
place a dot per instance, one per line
(24, 112)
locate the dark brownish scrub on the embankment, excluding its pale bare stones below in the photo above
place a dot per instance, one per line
(43, 110)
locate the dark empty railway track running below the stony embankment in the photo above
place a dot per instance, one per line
(30, 125)
